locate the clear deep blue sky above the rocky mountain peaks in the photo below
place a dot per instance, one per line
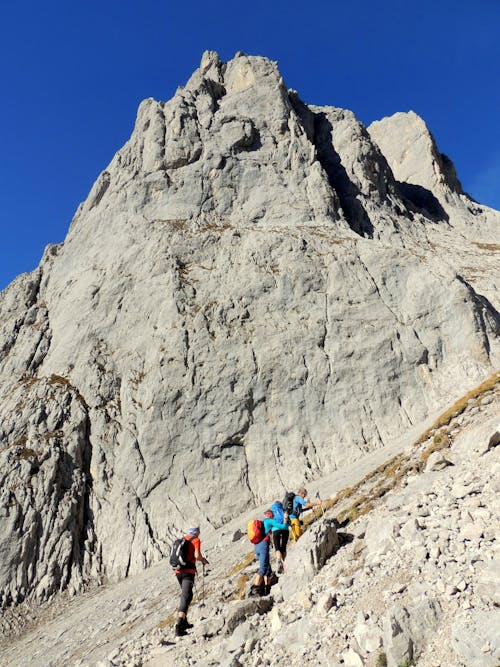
(72, 75)
